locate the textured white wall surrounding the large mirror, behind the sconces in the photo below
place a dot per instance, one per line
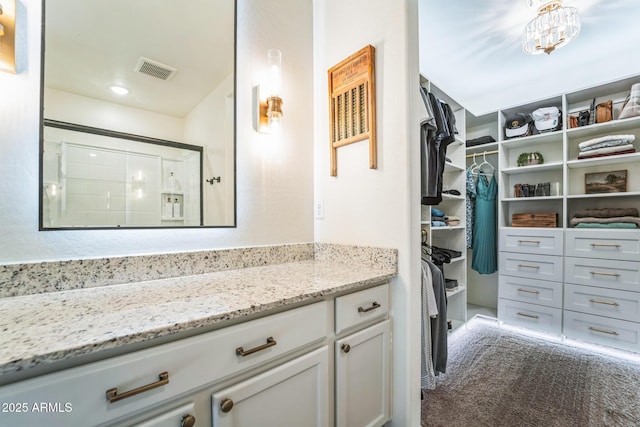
(275, 177)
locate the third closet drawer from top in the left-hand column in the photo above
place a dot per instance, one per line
(542, 292)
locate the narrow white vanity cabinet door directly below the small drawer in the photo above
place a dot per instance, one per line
(363, 377)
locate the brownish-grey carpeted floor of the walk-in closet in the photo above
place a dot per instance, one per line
(498, 377)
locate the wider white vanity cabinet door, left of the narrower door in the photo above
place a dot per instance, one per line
(292, 394)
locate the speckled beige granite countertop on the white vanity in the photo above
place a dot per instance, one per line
(46, 328)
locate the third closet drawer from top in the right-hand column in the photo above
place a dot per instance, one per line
(602, 302)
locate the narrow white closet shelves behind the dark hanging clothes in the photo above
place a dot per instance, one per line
(452, 237)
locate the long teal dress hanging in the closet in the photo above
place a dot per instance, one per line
(484, 234)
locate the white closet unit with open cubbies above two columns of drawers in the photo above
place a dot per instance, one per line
(574, 282)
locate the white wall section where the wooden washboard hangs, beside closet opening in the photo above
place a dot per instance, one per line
(377, 207)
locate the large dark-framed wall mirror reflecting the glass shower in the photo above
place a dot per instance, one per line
(138, 126)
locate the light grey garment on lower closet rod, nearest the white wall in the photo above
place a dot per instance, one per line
(429, 311)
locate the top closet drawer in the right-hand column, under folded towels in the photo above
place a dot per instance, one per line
(604, 244)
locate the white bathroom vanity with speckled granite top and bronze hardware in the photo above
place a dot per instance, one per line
(299, 343)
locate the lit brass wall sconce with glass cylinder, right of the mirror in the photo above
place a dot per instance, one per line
(269, 111)
